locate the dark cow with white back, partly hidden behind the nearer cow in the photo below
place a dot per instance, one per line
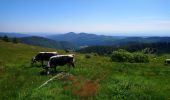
(43, 56)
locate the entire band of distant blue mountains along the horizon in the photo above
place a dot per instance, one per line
(81, 40)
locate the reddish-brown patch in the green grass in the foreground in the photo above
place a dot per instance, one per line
(81, 86)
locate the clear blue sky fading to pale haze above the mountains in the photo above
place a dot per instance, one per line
(114, 17)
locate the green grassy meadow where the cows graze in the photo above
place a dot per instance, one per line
(93, 78)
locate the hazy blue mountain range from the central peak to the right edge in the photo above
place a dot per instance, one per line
(86, 39)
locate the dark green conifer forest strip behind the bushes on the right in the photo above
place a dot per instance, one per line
(157, 48)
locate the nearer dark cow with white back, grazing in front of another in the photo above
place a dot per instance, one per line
(60, 60)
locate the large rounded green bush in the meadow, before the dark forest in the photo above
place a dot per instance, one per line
(125, 56)
